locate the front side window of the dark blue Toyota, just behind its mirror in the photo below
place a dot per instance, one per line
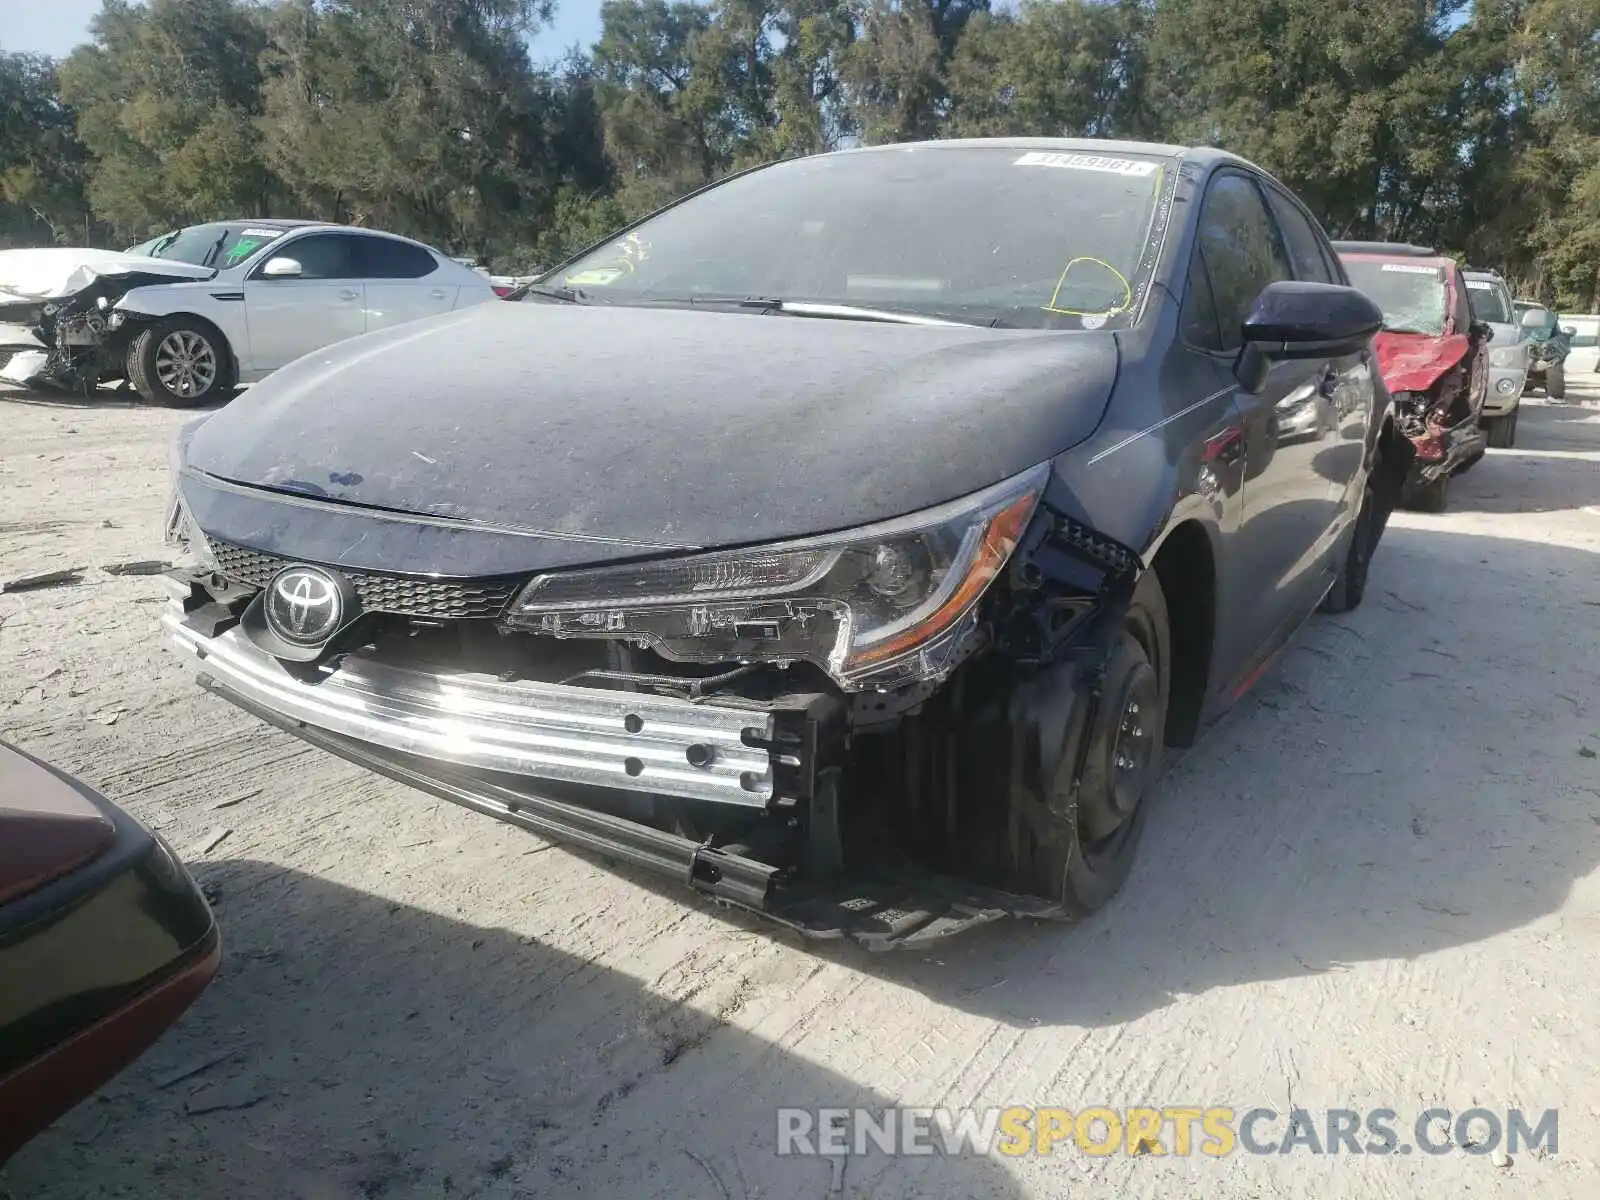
(1241, 249)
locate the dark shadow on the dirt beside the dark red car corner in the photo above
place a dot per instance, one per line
(380, 1050)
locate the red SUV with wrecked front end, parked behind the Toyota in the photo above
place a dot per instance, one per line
(1433, 359)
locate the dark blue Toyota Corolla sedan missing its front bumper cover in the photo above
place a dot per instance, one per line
(847, 540)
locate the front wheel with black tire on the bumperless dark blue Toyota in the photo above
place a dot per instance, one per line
(1076, 846)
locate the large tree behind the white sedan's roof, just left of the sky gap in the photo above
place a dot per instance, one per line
(423, 116)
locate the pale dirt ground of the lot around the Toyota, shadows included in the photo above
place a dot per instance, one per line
(1377, 884)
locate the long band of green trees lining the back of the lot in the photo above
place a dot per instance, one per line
(1466, 124)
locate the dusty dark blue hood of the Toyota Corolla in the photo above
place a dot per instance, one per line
(660, 428)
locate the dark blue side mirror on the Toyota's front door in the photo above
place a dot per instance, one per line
(1295, 319)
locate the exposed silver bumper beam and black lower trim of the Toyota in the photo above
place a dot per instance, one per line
(582, 766)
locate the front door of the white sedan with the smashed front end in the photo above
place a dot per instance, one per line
(321, 306)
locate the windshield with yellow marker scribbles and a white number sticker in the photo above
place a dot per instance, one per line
(990, 236)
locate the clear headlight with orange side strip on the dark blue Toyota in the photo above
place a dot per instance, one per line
(881, 606)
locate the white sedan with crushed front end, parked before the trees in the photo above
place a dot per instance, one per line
(188, 316)
